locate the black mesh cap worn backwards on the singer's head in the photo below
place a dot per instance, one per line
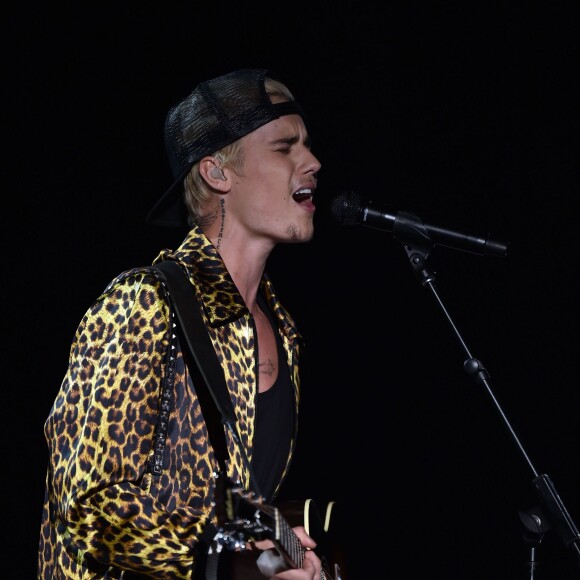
(217, 113)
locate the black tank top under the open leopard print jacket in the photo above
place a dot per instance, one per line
(274, 423)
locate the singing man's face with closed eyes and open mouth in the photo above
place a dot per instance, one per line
(272, 196)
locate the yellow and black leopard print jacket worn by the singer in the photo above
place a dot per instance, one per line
(131, 475)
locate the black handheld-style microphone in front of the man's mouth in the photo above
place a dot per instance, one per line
(349, 209)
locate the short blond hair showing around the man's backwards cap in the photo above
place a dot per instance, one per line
(196, 191)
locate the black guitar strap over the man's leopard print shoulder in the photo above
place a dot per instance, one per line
(203, 363)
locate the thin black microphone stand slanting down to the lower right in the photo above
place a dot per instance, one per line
(551, 513)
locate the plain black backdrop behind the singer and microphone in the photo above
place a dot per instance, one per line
(464, 113)
